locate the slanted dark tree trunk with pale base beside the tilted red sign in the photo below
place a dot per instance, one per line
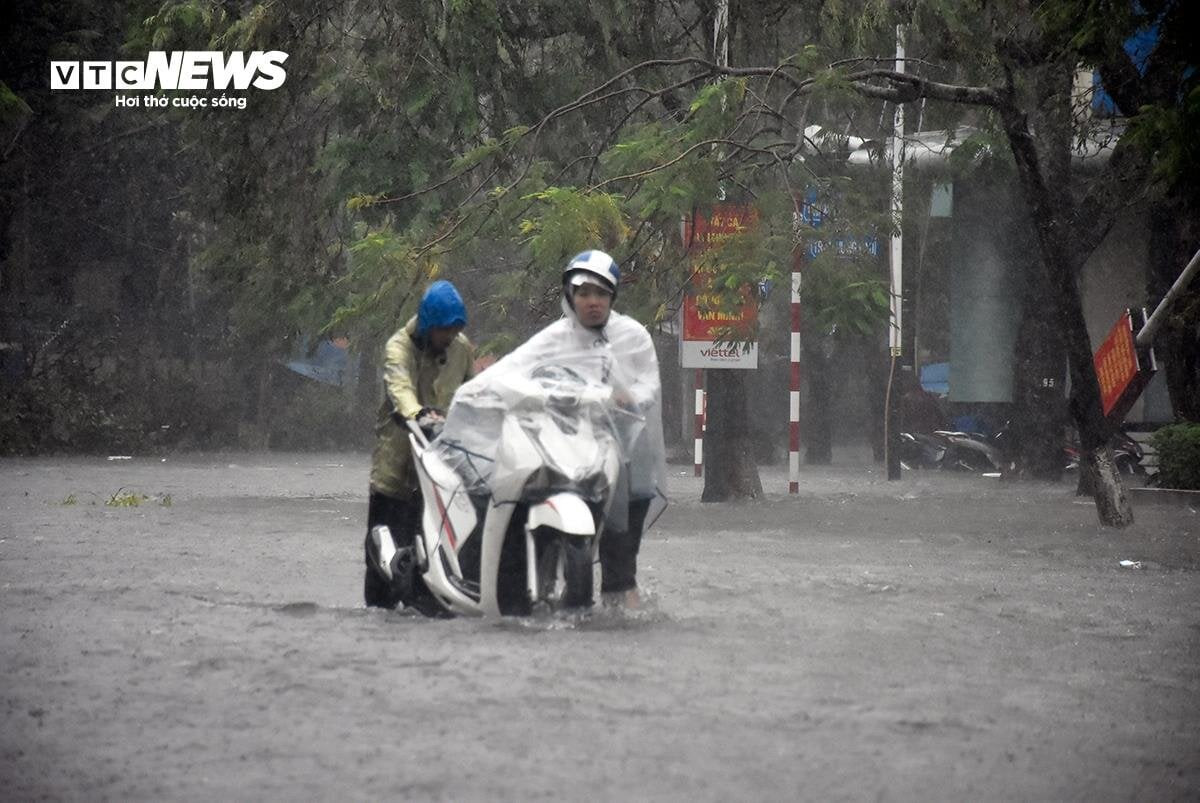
(1049, 203)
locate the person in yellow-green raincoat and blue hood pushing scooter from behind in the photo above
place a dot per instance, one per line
(424, 365)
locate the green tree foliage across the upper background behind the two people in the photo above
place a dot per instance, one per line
(485, 142)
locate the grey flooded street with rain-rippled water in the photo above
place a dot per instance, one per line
(943, 638)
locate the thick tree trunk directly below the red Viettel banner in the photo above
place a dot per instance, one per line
(730, 470)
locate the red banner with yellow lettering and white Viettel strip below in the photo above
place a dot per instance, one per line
(706, 313)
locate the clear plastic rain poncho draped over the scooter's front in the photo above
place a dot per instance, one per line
(567, 381)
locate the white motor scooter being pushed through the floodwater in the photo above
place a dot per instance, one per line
(519, 532)
